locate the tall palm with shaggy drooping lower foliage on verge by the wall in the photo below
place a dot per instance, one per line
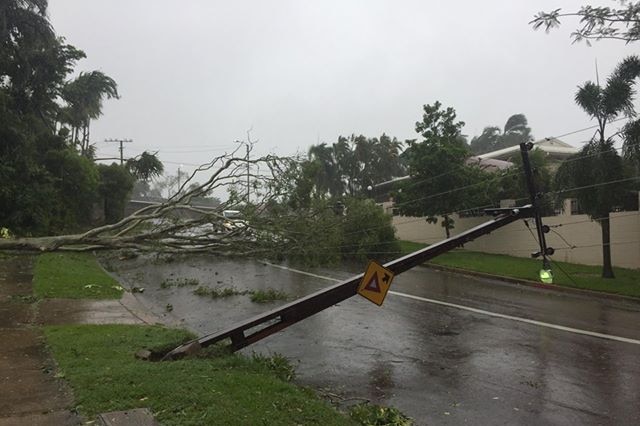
(598, 162)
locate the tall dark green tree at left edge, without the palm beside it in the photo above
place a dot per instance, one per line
(46, 186)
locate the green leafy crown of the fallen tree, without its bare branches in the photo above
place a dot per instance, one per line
(322, 228)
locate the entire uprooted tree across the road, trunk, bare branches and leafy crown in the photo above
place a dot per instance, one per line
(271, 225)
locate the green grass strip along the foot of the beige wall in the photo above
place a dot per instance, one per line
(627, 281)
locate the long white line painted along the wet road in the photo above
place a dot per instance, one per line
(481, 311)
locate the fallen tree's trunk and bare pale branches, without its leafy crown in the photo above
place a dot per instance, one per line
(163, 227)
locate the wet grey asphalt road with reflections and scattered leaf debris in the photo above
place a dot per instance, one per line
(438, 364)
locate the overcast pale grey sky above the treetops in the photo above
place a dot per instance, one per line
(195, 75)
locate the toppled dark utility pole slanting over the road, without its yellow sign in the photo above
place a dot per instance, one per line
(252, 330)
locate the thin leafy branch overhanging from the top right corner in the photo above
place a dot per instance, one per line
(597, 22)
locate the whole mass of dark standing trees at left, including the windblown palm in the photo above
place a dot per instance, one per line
(50, 182)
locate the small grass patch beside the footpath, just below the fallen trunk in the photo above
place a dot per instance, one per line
(73, 275)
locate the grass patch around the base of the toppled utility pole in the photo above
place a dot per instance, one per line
(99, 363)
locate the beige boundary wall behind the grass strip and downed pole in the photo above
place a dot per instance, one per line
(515, 240)
